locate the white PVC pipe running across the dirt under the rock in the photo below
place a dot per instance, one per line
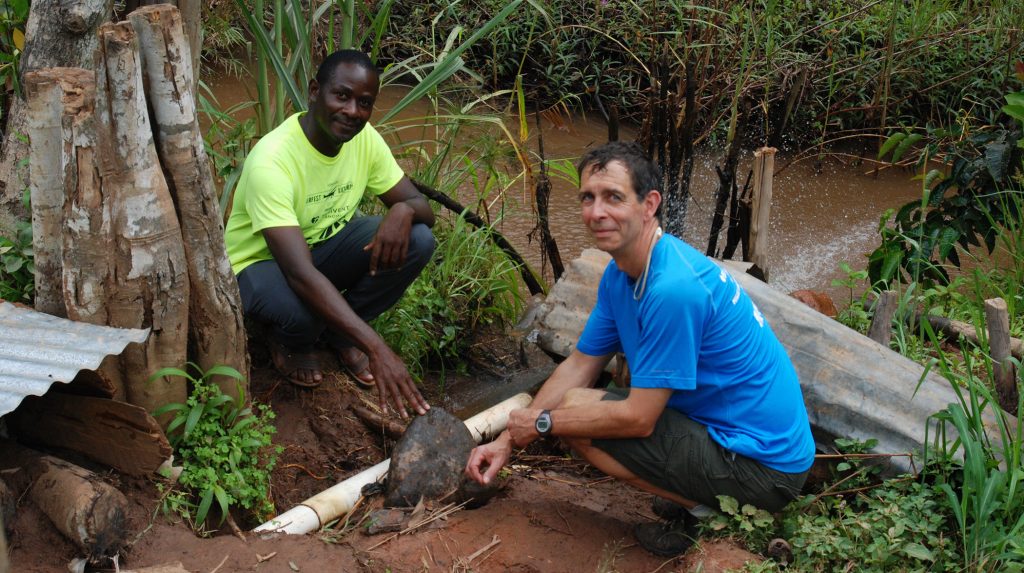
(340, 499)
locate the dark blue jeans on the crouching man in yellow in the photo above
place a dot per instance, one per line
(268, 298)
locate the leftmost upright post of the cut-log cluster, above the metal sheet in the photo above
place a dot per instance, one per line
(57, 99)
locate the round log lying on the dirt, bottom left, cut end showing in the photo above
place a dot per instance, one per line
(87, 510)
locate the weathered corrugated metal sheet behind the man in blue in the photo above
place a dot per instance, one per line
(854, 386)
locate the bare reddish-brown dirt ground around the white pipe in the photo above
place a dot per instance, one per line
(554, 514)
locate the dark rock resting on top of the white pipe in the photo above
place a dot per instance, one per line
(429, 464)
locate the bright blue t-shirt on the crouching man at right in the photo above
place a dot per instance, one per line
(697, 332)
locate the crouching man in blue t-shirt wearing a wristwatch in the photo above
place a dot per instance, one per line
(714, 406)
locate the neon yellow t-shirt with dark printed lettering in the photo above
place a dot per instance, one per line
(286, 183)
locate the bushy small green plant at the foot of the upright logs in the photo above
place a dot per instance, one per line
(224, 446)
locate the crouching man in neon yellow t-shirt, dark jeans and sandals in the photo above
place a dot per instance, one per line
(307, 266)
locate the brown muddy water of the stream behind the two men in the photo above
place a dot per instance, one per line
(823, 213)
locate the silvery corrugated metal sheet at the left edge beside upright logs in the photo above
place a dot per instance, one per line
(37, 350)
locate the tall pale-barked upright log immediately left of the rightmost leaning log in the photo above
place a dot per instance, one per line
(150, 287)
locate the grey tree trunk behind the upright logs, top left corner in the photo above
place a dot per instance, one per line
(59, 33)
